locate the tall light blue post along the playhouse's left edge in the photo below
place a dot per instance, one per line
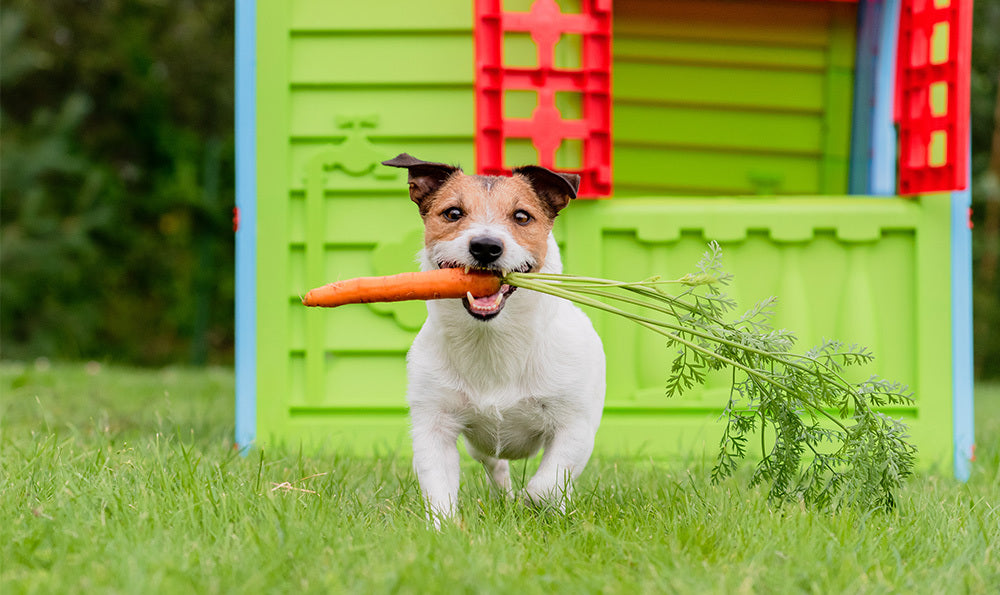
(246, 234)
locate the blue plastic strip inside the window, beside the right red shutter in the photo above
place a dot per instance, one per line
(882, 167)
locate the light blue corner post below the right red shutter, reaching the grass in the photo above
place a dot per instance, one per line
(963, 415)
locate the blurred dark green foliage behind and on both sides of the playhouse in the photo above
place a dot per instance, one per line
(116, 173)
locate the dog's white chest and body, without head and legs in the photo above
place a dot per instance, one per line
(510, 390)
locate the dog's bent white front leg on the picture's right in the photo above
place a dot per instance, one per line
(562, 462)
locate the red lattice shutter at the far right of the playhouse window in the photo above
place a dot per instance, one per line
(932, 94)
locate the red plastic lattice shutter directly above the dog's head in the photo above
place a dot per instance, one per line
(546, 128)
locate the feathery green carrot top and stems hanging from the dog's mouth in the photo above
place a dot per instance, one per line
(829, 445)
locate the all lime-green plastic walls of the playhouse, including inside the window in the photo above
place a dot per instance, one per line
(341, 87)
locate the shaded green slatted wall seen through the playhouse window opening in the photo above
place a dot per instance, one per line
(732, 97)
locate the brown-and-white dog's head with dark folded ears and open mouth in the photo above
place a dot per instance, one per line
(499, 223)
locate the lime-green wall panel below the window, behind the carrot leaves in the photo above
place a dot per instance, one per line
(862, 270)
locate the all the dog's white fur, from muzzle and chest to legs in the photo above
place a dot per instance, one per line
(531, 378)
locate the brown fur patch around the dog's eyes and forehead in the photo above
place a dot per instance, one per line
(490, 202)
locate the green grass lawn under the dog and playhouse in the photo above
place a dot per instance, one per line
(121, 480)
